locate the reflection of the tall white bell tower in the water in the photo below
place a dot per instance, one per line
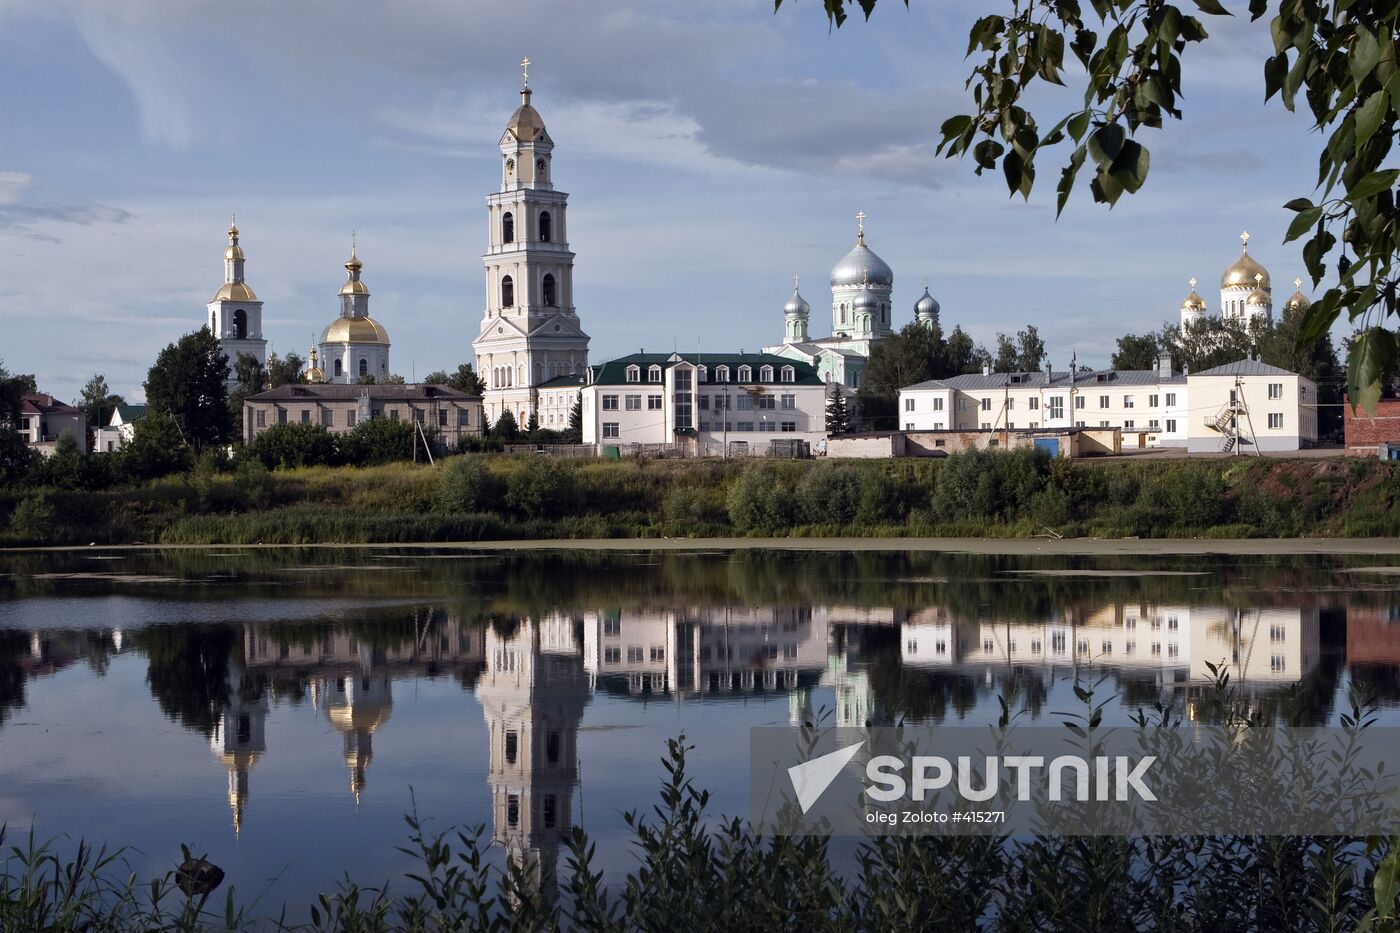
(533, 696)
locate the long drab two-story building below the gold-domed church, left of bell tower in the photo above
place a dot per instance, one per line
(341, 408)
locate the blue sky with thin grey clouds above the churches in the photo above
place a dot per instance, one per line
(712, 151)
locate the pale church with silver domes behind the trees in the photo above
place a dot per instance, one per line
(862, 316)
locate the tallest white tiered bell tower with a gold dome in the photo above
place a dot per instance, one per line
(530, 333)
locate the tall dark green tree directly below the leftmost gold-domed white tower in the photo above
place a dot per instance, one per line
(188, 383)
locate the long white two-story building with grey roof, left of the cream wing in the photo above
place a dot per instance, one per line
(1149, 406)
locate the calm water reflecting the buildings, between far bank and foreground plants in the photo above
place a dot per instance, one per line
(282, 711)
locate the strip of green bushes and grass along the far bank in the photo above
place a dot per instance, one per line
(484, 497)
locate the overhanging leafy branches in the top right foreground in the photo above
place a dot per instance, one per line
(1339, 58)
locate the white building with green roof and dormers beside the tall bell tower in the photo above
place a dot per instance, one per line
(715, 403)
